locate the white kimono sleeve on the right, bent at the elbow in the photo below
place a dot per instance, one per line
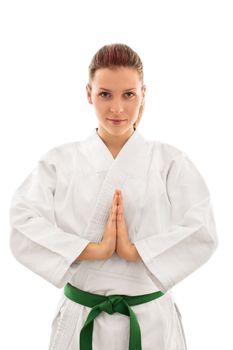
(191, 237)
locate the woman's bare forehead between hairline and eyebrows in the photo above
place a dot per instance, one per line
(122, 78)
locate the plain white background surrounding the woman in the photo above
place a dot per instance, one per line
(186, 48)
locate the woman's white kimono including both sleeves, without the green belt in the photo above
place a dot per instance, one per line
(64, 204)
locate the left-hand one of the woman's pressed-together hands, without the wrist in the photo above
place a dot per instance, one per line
(108, 242)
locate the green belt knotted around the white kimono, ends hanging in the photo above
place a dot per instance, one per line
(110, 304)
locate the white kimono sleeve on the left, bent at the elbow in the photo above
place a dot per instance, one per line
(35, 240)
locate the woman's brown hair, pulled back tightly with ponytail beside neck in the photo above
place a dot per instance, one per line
(114, 56)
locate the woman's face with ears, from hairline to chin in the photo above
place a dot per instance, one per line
(116, 95)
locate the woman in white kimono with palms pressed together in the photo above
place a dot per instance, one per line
(115, 219)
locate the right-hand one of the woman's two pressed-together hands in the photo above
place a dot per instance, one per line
(124, 247)
